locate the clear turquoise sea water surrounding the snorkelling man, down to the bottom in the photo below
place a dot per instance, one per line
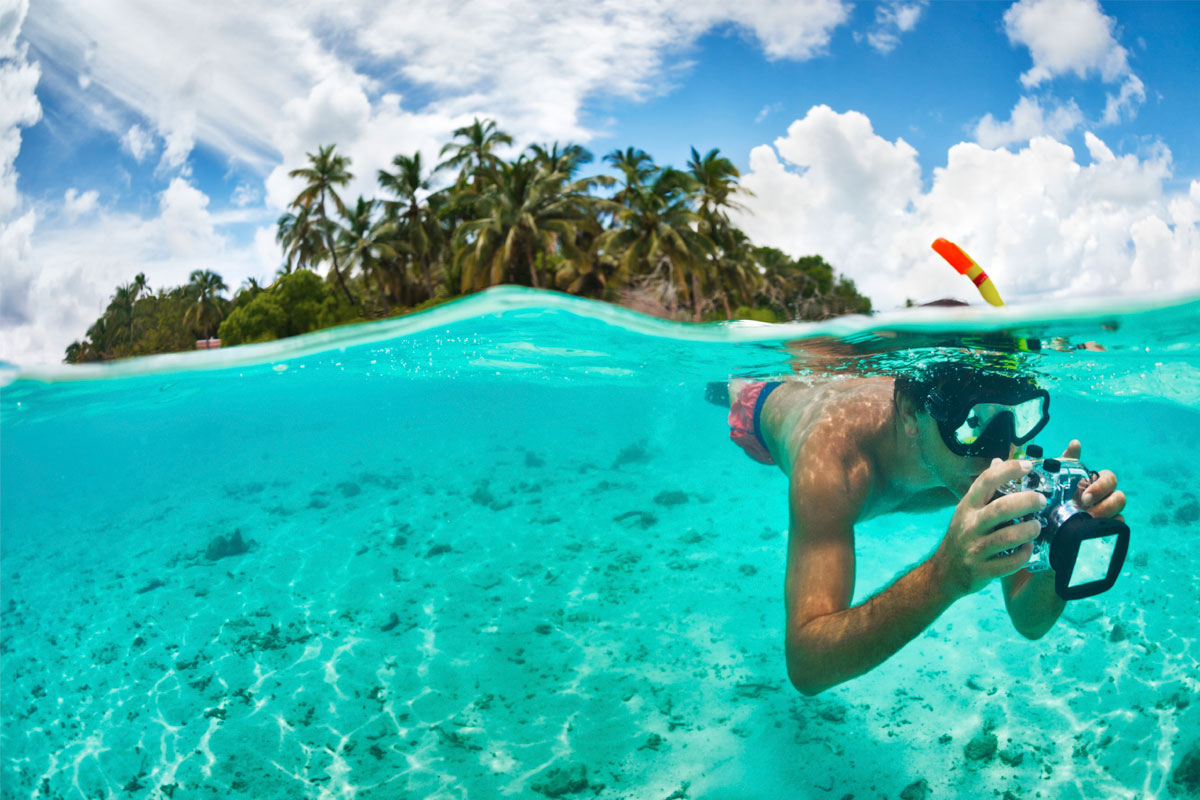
(506, 550)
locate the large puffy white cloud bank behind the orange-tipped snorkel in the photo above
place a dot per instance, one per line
(1040, 222)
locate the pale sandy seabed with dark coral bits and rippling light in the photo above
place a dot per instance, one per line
(524, 621)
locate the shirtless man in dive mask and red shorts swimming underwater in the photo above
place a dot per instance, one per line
(860, 448)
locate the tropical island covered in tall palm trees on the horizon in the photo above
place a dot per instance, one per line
(655, 239)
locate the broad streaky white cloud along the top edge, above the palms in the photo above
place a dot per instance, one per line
(224, 80)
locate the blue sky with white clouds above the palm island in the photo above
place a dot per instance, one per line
(1057, 133)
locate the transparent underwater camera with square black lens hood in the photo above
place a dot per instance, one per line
(1085, 554)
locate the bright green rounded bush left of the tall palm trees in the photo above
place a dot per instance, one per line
(297, 304)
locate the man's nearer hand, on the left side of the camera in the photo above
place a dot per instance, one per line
(969, 557)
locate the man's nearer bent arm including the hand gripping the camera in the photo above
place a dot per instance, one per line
(827, 642)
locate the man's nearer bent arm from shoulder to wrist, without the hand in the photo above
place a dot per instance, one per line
(827, 642)
